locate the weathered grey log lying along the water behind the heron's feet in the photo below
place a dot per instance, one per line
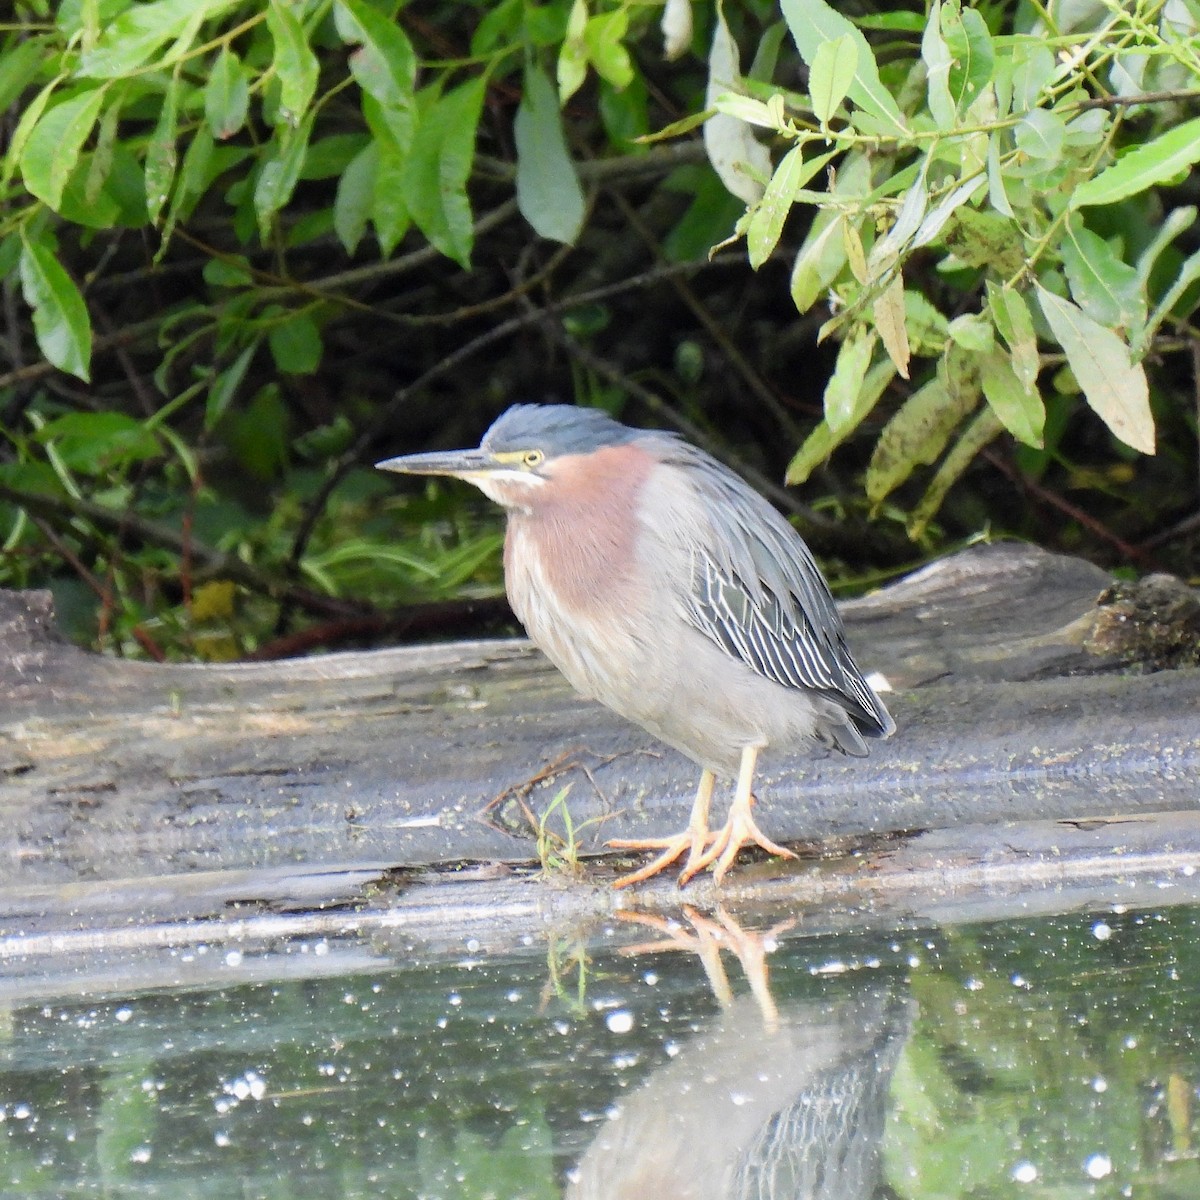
(1028, 688)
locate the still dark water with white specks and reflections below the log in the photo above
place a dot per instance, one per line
(1054, 1058)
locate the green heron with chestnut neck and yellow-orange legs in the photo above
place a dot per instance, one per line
(665, 587)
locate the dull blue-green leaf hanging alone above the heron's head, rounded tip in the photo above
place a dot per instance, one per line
(549, 191)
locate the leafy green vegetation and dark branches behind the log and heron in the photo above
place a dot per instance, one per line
(251, 247)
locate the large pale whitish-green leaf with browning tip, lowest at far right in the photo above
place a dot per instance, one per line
(1114, 386)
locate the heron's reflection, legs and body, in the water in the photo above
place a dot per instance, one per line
(769, 1103)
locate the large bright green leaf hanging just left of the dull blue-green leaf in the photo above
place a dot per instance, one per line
(435, 184)
